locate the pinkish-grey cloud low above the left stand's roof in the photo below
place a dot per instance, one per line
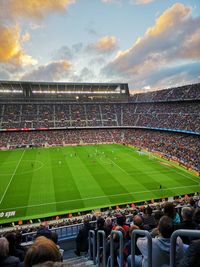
(53, 71)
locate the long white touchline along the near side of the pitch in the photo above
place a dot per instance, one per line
(99, 197)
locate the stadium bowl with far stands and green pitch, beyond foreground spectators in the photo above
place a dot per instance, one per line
(68, 148)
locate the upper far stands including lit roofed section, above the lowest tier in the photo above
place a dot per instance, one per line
(52, 105)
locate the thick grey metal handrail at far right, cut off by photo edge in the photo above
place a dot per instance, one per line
(188, 233)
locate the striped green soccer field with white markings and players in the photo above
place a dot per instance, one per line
(41, 182)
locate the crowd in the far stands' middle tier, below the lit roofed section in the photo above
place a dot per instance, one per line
(169, 115)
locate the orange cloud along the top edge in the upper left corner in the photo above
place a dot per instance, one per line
(32, 8)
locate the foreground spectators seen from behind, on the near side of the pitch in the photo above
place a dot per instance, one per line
(159, 218)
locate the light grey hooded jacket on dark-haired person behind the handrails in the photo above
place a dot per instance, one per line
(160, 251)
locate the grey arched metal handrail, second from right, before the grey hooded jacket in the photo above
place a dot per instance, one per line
(149, 245)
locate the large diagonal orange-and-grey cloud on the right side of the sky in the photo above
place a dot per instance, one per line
(158, 43)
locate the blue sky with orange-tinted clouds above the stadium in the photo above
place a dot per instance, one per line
(149, 44)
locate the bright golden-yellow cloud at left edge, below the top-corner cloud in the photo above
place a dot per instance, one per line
(11, 50)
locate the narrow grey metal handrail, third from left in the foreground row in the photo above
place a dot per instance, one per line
(121, 246)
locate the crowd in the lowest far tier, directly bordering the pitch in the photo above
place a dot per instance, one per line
(184, 148)
